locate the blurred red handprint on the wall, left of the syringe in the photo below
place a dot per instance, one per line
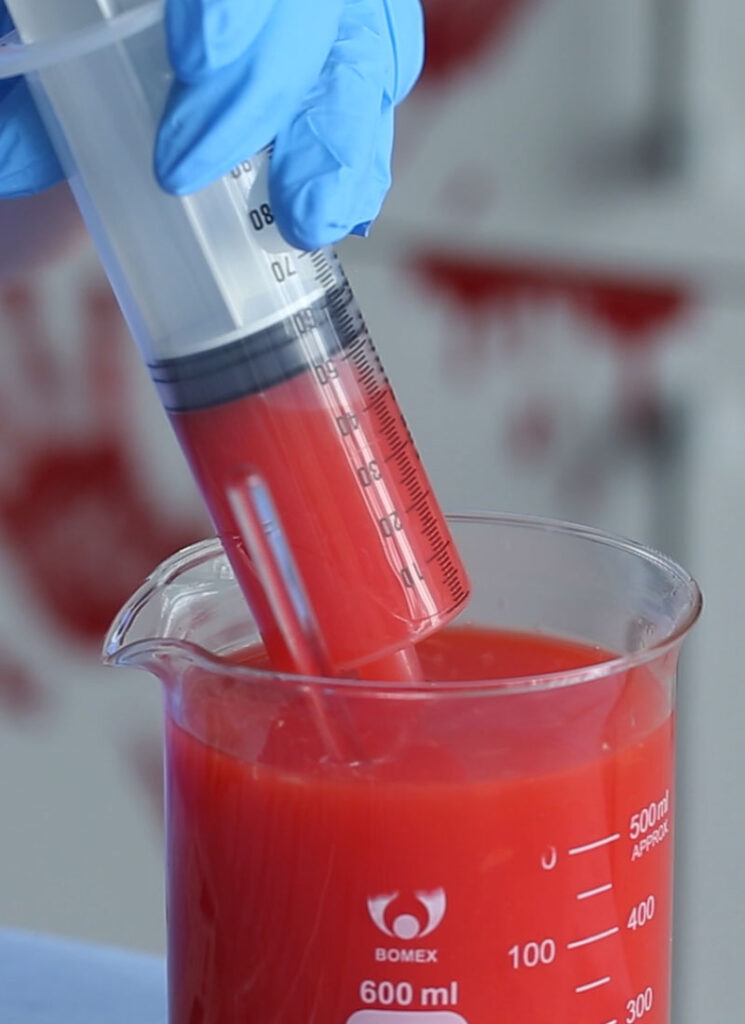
(75, 515)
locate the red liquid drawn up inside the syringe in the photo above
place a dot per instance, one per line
(329, 447)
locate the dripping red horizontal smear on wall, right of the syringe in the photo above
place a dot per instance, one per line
(629, 315)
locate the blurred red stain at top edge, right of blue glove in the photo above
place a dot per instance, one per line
(461, 32)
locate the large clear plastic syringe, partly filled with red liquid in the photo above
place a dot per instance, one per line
(260, 357)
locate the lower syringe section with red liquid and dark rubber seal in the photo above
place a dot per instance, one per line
(304, 458)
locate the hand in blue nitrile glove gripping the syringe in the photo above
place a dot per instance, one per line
(320, 77)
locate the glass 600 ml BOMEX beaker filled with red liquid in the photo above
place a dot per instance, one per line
(494, 844)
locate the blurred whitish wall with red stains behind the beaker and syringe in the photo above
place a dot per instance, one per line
(557, 288)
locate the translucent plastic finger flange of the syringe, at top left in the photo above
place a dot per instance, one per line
(26, 59)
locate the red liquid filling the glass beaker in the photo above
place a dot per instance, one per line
(503, 859)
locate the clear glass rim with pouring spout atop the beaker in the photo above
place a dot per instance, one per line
(211, 550)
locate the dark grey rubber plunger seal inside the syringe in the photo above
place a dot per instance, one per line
(259, 361)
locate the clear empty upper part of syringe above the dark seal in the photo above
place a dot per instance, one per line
(190, 273)
